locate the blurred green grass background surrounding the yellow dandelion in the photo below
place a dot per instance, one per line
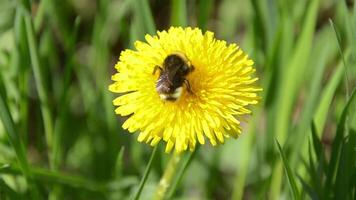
(60, 138)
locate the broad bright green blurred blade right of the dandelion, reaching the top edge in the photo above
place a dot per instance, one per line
(289, 86)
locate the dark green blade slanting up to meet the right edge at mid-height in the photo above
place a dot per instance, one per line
(336, 146)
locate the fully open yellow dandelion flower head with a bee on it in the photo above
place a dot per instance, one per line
(199, 94)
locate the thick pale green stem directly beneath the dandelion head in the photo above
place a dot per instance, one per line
(167, 177)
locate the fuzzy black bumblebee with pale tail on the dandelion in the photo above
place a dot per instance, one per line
(172, 76)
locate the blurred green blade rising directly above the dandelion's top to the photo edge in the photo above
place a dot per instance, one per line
(179, 13)
